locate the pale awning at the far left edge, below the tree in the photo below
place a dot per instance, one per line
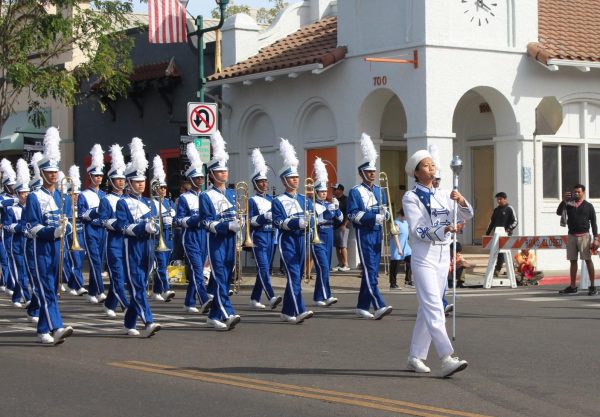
(17, 128)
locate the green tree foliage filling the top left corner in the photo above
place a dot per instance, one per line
(37, 39)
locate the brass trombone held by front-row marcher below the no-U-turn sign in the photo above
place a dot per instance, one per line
(243, 240)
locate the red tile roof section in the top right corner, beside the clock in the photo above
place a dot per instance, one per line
(568, 29)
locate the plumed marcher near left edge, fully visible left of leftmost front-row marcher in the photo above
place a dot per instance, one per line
(13, 225)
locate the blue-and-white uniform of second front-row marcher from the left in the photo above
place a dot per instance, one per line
(133, 214)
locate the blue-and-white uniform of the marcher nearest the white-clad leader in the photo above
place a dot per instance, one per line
(362, 207)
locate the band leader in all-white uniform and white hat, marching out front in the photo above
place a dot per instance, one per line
(429, 212)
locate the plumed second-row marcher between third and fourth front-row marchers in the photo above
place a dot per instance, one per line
(261, 217)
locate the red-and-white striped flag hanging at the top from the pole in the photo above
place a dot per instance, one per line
(166, 21)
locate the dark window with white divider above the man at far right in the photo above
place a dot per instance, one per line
(561, 161)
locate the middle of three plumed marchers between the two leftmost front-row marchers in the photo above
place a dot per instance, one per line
(93, 231)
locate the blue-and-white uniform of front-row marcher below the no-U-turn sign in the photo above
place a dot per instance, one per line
(217, 209)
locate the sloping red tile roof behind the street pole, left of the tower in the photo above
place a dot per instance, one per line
(314, 43)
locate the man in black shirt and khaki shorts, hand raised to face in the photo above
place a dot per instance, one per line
(581, 215)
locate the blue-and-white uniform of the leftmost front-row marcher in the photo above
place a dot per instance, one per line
(42, 215)
